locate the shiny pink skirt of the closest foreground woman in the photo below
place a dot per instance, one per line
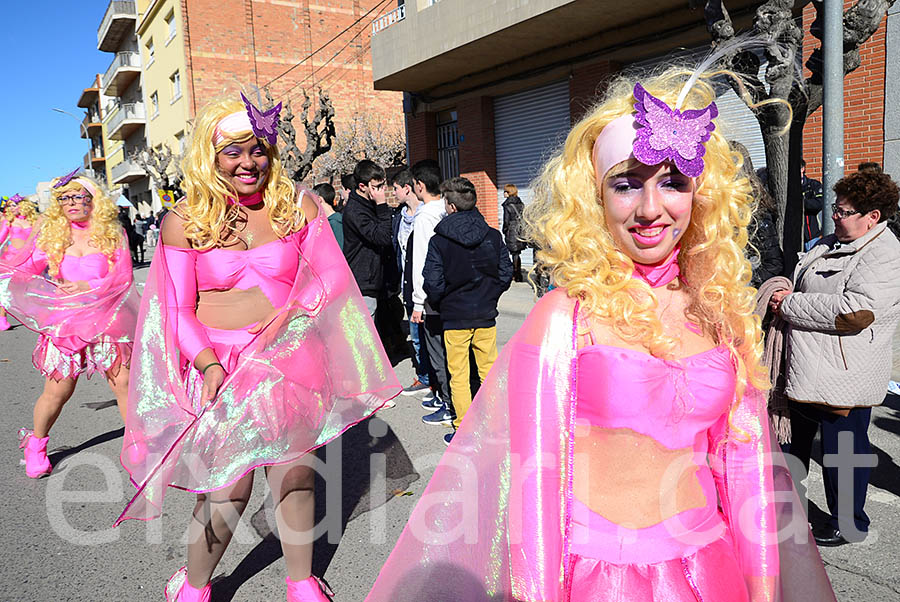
(655, 564)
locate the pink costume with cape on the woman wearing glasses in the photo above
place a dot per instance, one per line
(82, 333)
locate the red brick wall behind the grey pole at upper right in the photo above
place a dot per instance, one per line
(863, 104)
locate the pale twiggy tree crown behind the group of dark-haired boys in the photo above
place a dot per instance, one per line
(362, 138)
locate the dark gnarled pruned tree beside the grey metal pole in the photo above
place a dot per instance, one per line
(775, 22)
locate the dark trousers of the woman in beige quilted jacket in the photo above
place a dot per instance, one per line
(846, 458)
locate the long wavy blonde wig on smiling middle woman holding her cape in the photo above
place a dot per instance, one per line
(209, 216)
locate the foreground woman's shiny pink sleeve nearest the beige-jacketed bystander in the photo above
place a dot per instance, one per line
(740, 455)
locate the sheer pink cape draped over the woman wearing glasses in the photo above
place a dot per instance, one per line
(107, 312)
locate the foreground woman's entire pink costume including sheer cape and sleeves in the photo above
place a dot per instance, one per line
(499, 519)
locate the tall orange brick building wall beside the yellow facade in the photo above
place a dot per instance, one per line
(251, 42)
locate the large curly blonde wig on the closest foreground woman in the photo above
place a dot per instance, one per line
(568, 225)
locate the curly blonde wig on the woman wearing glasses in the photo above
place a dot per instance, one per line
(105, 231)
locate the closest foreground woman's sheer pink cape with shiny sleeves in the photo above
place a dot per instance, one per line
(494, 521)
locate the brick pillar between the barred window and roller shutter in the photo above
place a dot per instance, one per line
(477, 152)
